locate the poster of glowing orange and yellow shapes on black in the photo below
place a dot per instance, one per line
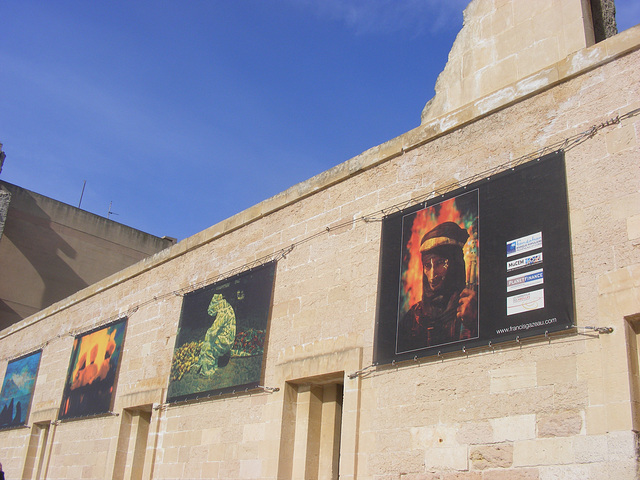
(89, 388)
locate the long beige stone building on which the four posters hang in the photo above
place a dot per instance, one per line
(523, 79)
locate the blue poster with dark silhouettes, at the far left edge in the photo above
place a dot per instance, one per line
(17, 390)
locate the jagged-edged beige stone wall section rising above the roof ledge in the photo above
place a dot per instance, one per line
(504, 41)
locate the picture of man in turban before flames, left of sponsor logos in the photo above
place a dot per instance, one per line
(438, 296)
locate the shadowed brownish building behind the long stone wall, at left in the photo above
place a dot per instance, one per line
(49, 250)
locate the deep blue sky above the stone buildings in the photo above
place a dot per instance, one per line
(184, 113)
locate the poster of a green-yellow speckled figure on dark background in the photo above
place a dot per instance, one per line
(222, 336)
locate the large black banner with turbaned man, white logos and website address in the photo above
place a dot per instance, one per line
(486, 263)
